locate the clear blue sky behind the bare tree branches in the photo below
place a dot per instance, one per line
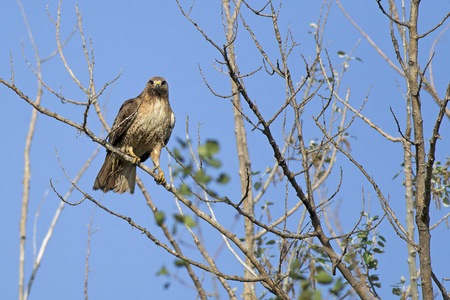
(151, 38)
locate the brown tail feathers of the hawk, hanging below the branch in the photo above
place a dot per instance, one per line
(116, 175)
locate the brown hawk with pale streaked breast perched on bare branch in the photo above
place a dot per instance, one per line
(141, 129)
